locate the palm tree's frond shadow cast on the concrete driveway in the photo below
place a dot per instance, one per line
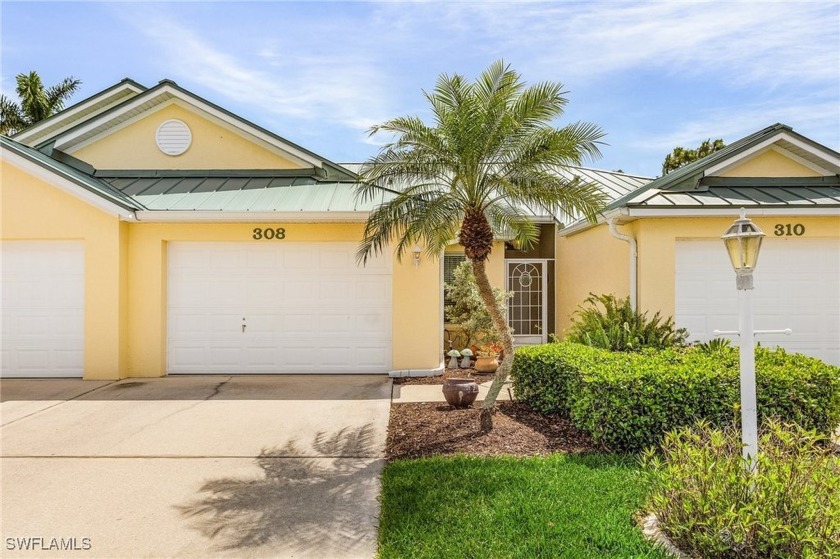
(323, 501)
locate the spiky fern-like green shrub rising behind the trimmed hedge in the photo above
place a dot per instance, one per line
(620, 328)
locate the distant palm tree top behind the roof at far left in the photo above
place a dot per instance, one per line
(36, 102)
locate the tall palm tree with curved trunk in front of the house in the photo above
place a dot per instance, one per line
(490, 153)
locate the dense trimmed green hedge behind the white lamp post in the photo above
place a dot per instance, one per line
(627, 401)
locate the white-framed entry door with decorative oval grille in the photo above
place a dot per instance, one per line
(528, 282)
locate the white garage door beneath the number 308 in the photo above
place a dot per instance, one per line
(277, 308)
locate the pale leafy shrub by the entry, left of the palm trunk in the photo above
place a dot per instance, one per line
(468, 309)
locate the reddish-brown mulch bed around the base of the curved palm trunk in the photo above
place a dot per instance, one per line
(433, 429)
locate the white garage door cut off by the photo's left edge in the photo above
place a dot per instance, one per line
(43, 293)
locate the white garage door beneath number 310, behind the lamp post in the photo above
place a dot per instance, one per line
(797, 286)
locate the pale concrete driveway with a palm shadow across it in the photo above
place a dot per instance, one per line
(280, 466)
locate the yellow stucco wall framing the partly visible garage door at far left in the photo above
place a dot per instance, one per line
(34, 210)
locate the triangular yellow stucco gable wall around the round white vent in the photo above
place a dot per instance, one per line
(213, 146)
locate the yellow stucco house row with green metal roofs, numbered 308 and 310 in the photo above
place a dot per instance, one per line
(148, 231)
